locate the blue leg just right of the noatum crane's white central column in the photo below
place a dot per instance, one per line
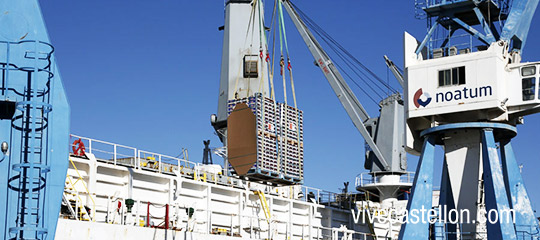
(495, 190)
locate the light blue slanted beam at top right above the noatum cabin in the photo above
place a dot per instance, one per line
(518, 23)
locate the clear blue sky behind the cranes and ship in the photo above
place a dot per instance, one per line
(145, 73)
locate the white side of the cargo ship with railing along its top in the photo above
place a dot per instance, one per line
(164, 188)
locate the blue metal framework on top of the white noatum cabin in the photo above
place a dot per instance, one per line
(514, 15)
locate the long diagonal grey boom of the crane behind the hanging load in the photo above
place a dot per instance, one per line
(352, 106)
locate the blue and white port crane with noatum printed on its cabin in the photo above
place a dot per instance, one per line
(467, 89)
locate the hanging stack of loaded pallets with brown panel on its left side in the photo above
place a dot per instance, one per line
(265, 140)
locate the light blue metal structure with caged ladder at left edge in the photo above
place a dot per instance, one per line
(32, 176)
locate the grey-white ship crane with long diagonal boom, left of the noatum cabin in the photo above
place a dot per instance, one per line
(384, 135)
